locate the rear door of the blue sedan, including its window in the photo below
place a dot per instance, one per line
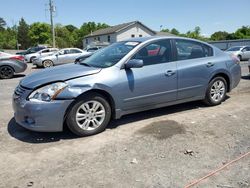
(195, 64)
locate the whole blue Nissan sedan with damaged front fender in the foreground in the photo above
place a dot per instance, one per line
(126, 77)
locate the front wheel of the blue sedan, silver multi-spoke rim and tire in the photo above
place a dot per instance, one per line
(89, 115)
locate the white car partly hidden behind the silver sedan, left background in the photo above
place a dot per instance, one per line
(42, 53)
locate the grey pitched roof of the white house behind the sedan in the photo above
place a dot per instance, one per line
(115, 29)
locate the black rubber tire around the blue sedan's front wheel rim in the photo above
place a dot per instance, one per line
(71, 116)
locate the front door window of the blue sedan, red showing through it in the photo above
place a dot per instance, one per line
(155, 53)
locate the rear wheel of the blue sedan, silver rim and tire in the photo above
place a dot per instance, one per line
(216, 91)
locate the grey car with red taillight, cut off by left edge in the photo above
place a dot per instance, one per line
(11, 64)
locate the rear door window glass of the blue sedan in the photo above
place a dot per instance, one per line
(192, 50)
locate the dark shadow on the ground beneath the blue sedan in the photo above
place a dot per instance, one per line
(25, 135)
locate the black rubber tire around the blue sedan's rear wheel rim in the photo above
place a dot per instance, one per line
(208, 98)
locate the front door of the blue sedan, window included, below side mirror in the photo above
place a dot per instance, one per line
(154, 83)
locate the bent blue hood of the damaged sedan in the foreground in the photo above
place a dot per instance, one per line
(54, 74)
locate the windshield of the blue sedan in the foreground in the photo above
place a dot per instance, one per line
(110, 55)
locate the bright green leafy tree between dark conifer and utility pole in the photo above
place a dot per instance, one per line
(39, 33)
